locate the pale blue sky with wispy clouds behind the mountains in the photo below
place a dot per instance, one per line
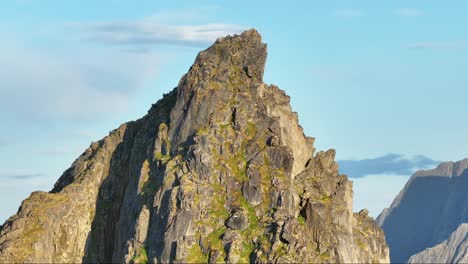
(367, 78)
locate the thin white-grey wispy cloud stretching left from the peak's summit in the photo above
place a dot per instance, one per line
(186, 27)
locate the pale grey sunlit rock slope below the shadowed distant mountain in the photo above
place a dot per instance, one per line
(452, 250)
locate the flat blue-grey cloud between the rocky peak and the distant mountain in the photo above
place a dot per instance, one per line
(390, 164)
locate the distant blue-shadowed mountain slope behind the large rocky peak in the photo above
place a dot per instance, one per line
(427, 211)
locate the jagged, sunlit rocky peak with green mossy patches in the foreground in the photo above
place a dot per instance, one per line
(218, 170)
